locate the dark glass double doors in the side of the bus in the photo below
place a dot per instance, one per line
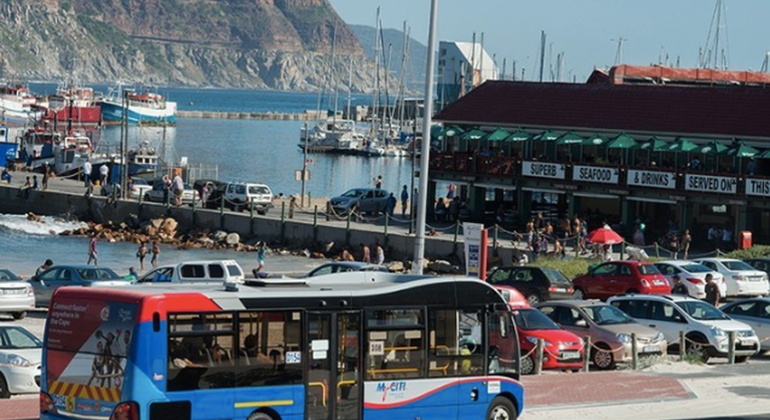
(333, 389)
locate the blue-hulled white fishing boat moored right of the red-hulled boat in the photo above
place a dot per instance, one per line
(143, 108)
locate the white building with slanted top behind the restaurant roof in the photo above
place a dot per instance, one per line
(461, 67)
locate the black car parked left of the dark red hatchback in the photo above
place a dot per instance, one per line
(537, 284)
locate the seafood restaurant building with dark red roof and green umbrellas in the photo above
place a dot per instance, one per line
(688, 148)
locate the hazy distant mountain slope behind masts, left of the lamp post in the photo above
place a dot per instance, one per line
(418, 53)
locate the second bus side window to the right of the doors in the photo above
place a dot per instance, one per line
(456, 346)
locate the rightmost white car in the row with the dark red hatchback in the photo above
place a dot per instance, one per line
(741, 278)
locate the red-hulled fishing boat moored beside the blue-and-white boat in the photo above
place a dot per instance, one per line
(72, 106)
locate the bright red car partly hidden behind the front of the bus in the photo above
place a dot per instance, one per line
(562, 349)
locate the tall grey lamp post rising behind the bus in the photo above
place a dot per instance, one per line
(419, 239)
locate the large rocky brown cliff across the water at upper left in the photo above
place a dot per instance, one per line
(276, 44)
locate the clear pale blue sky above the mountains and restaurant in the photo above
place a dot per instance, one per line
(586, 31)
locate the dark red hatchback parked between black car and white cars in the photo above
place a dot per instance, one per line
(620, 277)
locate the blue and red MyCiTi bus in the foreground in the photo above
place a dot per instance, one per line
(347, 346)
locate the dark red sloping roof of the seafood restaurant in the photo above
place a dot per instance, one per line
(705, 111)
